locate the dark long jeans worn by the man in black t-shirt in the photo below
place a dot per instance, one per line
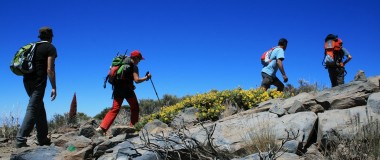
(35, 113)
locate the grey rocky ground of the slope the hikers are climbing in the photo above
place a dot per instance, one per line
(310, 114)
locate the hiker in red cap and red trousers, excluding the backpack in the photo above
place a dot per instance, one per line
(124, 89)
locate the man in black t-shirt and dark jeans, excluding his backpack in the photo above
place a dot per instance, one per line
(35, 85)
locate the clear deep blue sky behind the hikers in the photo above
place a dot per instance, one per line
(190, 46)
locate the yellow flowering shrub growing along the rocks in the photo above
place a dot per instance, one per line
(211, 104)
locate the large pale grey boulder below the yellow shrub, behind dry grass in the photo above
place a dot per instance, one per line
(231, 135)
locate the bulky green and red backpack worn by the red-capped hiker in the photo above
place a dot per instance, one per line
(121, 65)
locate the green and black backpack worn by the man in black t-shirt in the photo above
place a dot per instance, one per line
(22, 62)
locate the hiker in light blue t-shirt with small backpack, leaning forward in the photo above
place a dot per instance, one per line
(272, 63)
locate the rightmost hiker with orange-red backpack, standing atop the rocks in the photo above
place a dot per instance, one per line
(333, 60)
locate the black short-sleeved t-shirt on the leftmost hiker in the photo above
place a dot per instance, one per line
(40, 62)
